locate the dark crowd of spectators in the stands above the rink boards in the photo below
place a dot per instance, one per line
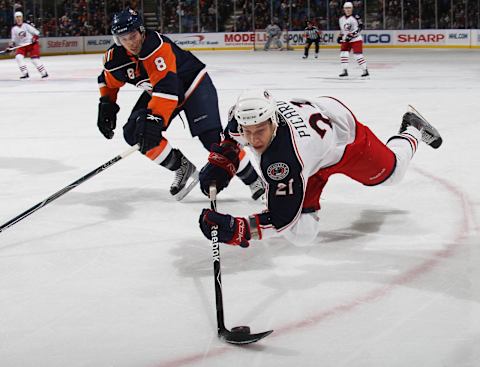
(93, 17)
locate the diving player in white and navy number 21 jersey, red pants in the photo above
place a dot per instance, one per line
(299, 144)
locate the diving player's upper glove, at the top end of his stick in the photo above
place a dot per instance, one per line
(222, 165)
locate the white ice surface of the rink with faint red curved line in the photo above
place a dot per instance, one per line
(117, 273)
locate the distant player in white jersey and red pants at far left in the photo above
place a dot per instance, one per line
(25, 34)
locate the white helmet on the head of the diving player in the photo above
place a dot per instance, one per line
(254, 107)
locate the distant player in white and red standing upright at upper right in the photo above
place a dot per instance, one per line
(350, 39)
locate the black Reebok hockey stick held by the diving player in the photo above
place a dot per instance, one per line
(238, 334)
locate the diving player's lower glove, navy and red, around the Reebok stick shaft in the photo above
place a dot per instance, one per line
(231, 230)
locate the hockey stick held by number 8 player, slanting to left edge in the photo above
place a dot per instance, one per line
(66, 189)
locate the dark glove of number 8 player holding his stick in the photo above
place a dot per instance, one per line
(143, 128)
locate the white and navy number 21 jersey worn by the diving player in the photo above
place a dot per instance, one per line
(312, 134)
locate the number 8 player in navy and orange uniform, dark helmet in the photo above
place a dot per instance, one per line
(173, 80)
